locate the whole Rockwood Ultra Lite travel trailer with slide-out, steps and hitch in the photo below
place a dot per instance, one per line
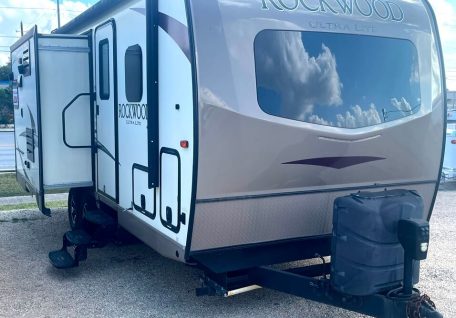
(237, 134)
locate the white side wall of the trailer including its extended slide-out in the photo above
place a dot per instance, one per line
(118, 165)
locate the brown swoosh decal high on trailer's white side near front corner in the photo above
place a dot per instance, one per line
(175, 29)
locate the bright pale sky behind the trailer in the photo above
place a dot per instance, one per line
(43, 13)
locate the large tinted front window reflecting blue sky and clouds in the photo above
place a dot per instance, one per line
(339, 80)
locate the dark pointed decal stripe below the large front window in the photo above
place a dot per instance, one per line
(335, 162)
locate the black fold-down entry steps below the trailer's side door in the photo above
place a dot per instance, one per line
(99, 230)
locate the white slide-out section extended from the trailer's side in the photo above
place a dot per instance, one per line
(51, 83)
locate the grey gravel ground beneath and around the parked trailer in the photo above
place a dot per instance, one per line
(134, 281)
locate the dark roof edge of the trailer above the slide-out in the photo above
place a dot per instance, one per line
(90, 15)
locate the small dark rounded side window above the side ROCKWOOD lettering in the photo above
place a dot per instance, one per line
(133, 74)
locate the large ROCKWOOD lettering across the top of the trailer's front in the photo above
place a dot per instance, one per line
(382, 9)
